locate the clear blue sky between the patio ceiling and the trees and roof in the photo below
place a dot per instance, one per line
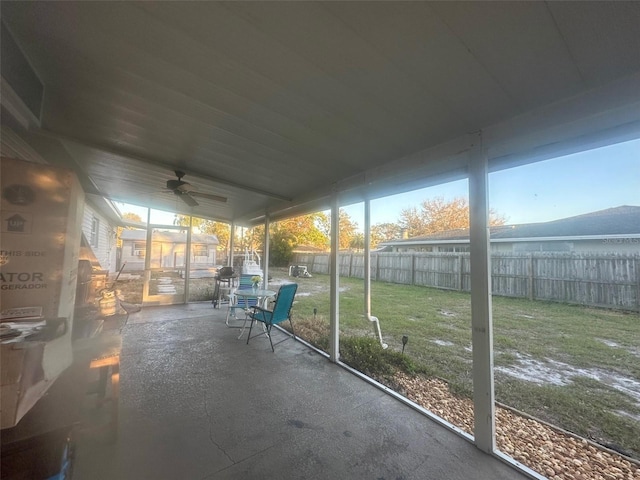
(558, 188)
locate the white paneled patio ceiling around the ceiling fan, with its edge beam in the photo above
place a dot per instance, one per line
(279, 105)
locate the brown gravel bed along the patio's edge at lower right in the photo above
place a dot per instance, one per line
(550, 452)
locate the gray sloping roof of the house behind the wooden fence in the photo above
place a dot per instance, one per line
(623, 220)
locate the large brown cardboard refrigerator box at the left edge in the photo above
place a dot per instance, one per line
(40, 232)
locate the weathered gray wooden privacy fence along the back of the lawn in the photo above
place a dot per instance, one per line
(603, 280)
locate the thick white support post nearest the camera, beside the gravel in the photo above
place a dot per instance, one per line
(481, 316)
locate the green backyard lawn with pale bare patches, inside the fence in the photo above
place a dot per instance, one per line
(577, 367)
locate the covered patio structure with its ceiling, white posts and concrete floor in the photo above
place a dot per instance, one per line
(275, 109)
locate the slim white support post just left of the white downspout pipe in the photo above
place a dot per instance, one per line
(334, 318)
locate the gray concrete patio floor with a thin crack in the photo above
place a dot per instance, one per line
(197, 403)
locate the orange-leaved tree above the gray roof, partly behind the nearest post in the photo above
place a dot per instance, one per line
(437, 215)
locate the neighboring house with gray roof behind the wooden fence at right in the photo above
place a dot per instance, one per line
(614, 230)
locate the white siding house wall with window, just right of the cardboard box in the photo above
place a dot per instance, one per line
(98, 243)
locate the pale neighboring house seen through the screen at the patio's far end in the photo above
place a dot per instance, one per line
(168, 250)
